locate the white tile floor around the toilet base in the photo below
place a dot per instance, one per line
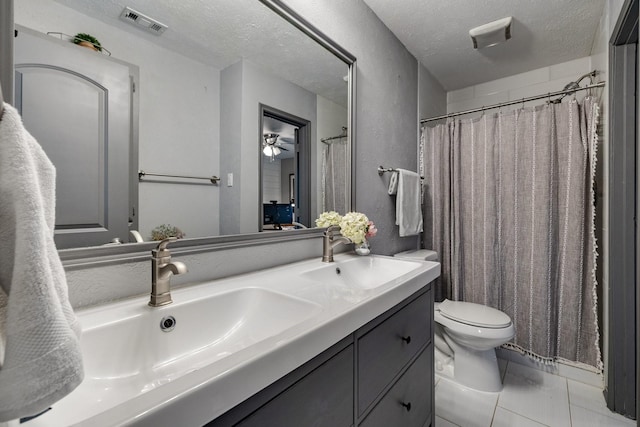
(530, 398)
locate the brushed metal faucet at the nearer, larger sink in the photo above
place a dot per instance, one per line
(161, 271)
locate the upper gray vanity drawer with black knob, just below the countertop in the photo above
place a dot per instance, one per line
(387, 348)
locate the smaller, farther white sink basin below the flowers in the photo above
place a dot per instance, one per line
(366, 272)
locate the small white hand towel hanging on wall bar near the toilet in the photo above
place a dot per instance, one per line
(408, 210)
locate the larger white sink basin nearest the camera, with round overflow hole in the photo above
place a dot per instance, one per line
(126, 353)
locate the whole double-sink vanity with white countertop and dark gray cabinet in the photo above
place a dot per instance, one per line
(342, 343)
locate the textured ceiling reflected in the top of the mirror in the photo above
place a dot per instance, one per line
(221, 32)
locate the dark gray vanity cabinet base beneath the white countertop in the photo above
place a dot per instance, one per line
(380, 375)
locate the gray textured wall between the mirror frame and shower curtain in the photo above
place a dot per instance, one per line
(387, 110)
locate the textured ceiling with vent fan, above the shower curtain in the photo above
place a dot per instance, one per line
(544, 32)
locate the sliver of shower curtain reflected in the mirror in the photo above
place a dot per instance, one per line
(334, 176)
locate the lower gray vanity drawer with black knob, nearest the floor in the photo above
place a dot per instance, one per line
(408, 402)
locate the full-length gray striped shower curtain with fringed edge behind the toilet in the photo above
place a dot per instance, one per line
(510, 203)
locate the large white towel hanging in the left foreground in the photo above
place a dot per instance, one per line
(40, 357)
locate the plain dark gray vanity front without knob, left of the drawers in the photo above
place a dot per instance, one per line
(322, 398)
